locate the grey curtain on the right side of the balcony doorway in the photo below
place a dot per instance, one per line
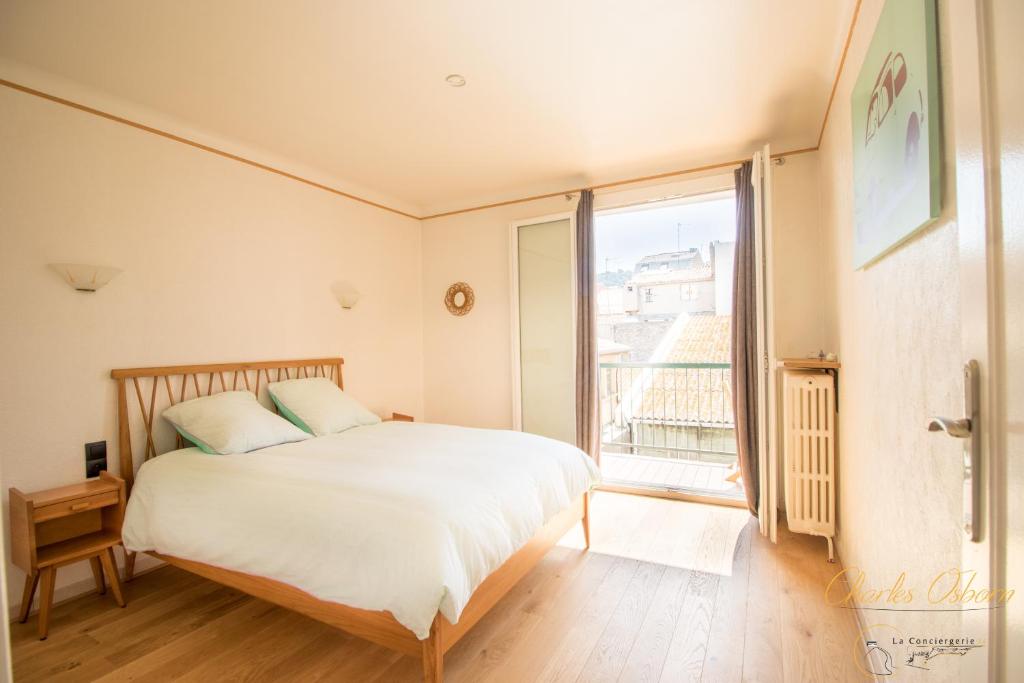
(744, 352)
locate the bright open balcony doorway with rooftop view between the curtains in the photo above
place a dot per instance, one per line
(665, 304)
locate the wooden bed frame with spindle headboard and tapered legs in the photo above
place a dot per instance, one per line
(179, 383)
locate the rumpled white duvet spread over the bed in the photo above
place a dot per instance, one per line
(400, 517)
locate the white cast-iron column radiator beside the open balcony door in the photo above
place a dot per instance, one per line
(809, 453)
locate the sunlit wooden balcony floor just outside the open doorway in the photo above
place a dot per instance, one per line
(669, 474)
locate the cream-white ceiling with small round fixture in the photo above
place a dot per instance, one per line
(560, 94)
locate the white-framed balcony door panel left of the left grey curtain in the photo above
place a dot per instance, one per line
(544, 327)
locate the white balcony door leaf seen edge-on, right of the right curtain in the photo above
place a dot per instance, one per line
(767, 452)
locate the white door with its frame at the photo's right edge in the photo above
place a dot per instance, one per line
(990, 139)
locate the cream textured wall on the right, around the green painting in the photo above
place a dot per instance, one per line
(897, 326)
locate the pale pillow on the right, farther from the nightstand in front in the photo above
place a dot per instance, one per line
(319, 407)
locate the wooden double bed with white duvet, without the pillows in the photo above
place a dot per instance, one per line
(403, 534)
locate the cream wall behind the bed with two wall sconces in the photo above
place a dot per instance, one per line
(222, 263)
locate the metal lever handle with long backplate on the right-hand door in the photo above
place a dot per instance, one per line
(969, 430)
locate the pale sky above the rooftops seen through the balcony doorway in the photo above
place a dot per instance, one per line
(623, 239)
